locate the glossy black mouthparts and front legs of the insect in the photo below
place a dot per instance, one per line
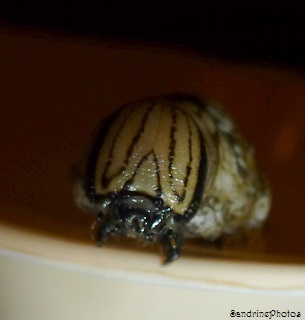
(140, 216)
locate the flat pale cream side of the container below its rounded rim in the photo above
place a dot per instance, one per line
(37, 289)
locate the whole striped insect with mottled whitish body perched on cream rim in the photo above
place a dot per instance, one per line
(167, 168)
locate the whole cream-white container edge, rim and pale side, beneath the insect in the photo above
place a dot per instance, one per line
(56, 279)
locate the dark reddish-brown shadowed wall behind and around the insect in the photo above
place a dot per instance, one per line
(55, 88)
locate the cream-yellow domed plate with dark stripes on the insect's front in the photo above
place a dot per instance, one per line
(153, 147)
